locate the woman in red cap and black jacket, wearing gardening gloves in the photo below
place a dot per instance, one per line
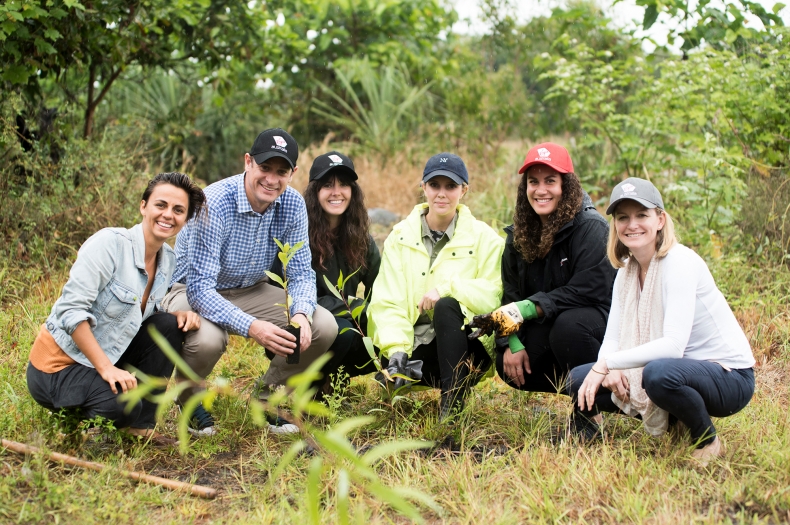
(557, 279)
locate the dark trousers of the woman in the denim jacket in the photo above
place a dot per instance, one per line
(81, 387)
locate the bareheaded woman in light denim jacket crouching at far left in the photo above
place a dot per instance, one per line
(99, 325)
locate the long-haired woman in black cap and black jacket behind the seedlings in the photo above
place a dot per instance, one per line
(341, 244)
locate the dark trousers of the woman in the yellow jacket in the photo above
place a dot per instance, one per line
(446, 360)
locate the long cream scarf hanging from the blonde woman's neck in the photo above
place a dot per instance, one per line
(641, 321)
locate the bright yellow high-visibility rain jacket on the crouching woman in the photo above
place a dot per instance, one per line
(467, 269)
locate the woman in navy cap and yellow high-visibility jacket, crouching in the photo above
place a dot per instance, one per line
(440, 268)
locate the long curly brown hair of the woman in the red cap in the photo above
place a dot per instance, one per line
(532, 238)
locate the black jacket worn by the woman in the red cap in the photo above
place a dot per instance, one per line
(575, 273)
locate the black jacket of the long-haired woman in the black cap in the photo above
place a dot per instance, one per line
(334, 266)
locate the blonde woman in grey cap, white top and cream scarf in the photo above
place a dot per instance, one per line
(673, 349)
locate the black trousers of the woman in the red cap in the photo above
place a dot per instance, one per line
(554, 348)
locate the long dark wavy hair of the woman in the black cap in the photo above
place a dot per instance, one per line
(351, 234)
